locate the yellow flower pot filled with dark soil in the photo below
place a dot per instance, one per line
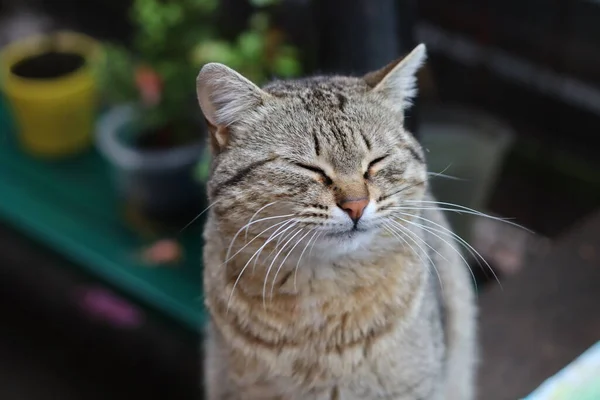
(53, 104)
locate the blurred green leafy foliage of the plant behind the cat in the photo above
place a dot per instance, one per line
(172, 40)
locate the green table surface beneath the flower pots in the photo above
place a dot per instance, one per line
(72, 207)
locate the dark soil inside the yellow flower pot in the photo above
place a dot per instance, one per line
(48, 65)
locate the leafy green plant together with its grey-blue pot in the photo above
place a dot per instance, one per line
(153, 133)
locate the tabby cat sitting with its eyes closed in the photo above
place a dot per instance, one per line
(324, 276)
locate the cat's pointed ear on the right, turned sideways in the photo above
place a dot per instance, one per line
(397, 81)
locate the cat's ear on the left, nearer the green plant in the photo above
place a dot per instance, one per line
(225, 97)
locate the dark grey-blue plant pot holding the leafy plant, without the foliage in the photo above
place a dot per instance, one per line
(157, 183)
